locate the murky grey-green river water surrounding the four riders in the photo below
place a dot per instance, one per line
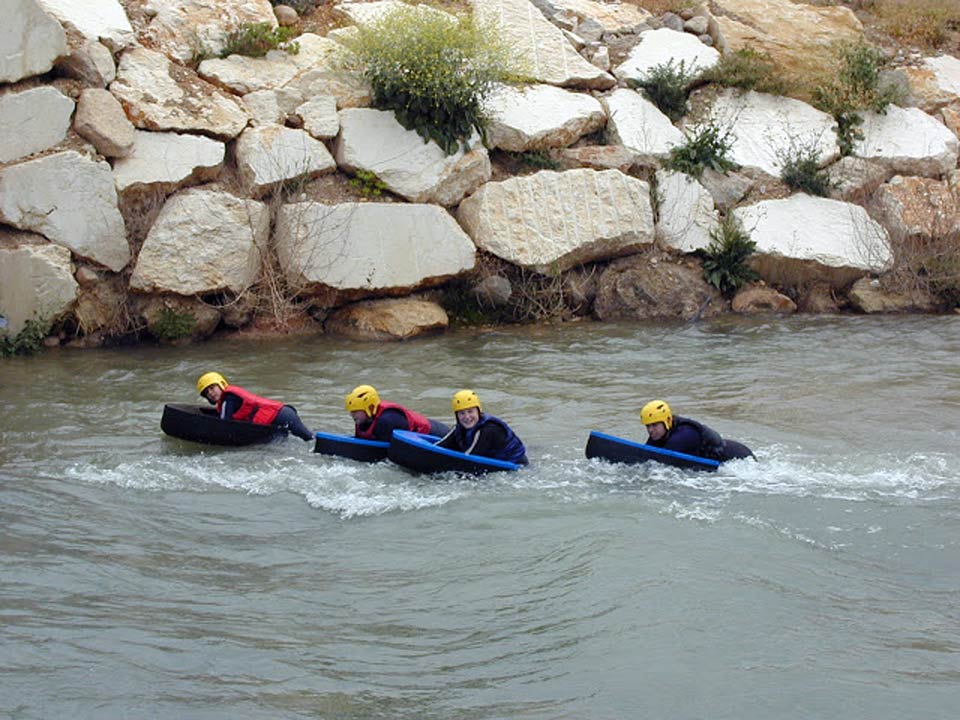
(146, 577)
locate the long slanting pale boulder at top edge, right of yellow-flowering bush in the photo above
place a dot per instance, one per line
(548, 55)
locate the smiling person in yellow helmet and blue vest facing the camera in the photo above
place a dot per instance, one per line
(478, 433)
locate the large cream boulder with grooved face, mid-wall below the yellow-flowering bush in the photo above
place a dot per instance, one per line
(552, 221)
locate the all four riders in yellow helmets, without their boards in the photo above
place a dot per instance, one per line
(474, 432)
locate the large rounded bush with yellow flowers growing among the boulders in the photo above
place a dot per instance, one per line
(433, 70)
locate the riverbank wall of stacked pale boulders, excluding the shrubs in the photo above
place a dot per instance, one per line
(146, 193)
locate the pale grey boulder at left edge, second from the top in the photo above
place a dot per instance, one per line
(32, 120)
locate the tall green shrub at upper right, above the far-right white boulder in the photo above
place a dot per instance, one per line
(856, 88)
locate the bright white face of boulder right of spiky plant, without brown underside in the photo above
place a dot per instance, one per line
(831, 233)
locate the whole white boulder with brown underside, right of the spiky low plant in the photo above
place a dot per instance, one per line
(802, 238)
